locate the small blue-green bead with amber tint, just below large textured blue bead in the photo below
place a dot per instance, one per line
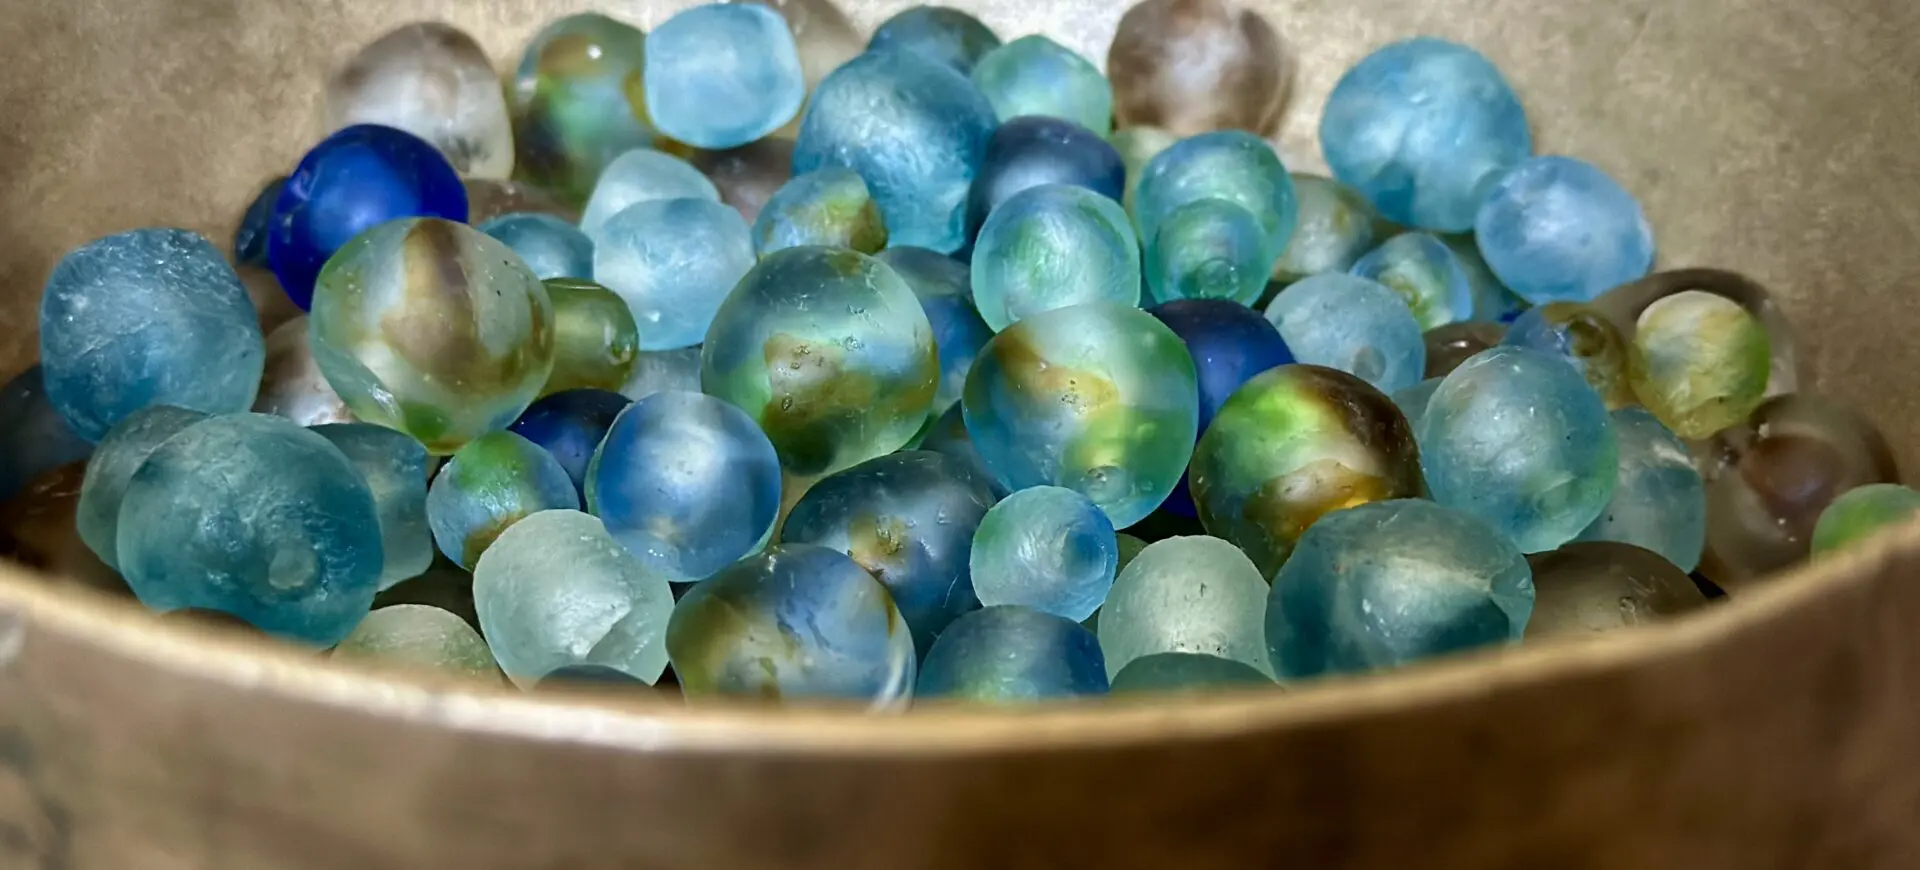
(828, 206)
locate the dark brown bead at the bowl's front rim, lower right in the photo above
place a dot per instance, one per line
(1589, 589)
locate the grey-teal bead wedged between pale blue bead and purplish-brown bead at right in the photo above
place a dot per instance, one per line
(1660, 500)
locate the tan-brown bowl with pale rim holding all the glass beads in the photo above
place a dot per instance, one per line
(1773, 137)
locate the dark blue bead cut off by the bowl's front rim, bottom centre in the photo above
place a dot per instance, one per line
(1013, 656)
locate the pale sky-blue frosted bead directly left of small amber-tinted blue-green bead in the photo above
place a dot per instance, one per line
(675, 264)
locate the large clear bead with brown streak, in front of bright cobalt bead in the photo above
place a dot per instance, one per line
(435, 329)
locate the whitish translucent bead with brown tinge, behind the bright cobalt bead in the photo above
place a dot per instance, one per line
(433, 82)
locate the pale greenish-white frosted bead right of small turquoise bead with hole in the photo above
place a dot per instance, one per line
(1186, 596)
